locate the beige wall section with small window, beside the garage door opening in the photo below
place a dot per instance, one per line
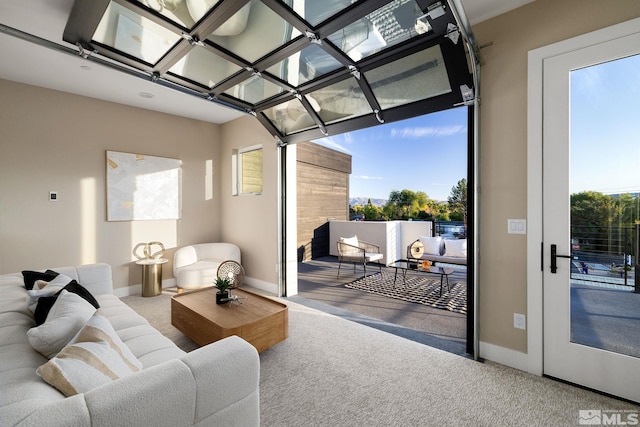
(251, 221)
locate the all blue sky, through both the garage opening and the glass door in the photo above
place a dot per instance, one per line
(428, 153)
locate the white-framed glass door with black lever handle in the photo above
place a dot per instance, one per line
(591, 193)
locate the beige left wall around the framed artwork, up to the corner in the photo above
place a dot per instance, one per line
(51, 140)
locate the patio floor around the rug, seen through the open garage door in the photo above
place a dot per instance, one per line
(319, 287)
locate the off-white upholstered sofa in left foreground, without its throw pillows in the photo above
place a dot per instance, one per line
(213, 385)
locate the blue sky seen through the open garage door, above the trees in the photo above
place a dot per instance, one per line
(426, 153)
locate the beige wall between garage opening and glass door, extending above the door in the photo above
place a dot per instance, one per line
(503, 153)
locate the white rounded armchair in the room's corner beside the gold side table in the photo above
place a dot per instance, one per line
(196, 266)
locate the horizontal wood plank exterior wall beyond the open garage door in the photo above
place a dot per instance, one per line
(323, 194)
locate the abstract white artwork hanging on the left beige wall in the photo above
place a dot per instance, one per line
(142, 187)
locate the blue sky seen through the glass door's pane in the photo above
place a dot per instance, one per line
(605, 127)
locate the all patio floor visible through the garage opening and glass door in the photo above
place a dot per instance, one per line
(604, 314)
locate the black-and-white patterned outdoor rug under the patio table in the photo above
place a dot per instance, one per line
(420, 288)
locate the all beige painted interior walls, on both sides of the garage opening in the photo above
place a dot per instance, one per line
(55, 141)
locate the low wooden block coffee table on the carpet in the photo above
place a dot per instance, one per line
(261, 321)
